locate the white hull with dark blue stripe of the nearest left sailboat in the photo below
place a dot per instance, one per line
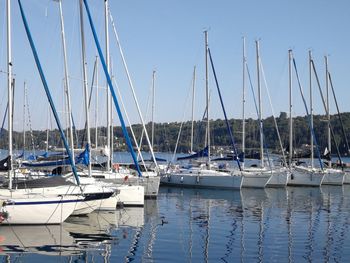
(38, 210)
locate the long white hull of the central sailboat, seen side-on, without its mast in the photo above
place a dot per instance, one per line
(202, 179)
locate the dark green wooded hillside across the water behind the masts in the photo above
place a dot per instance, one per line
(166, 135)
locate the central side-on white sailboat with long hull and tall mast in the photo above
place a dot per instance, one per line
(203, 176)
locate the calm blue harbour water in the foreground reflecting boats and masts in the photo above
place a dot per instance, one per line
(186, 225)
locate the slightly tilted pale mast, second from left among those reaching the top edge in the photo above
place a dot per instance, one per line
(66, 80)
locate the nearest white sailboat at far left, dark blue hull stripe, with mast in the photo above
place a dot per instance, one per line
(16, 207)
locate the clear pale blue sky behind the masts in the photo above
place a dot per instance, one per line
(167, 36)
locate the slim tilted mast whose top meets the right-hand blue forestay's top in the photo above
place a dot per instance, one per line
(86, 97)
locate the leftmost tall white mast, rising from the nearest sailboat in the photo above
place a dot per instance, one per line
(9, 90)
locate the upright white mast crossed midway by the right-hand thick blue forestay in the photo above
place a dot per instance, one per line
(108, 167)
